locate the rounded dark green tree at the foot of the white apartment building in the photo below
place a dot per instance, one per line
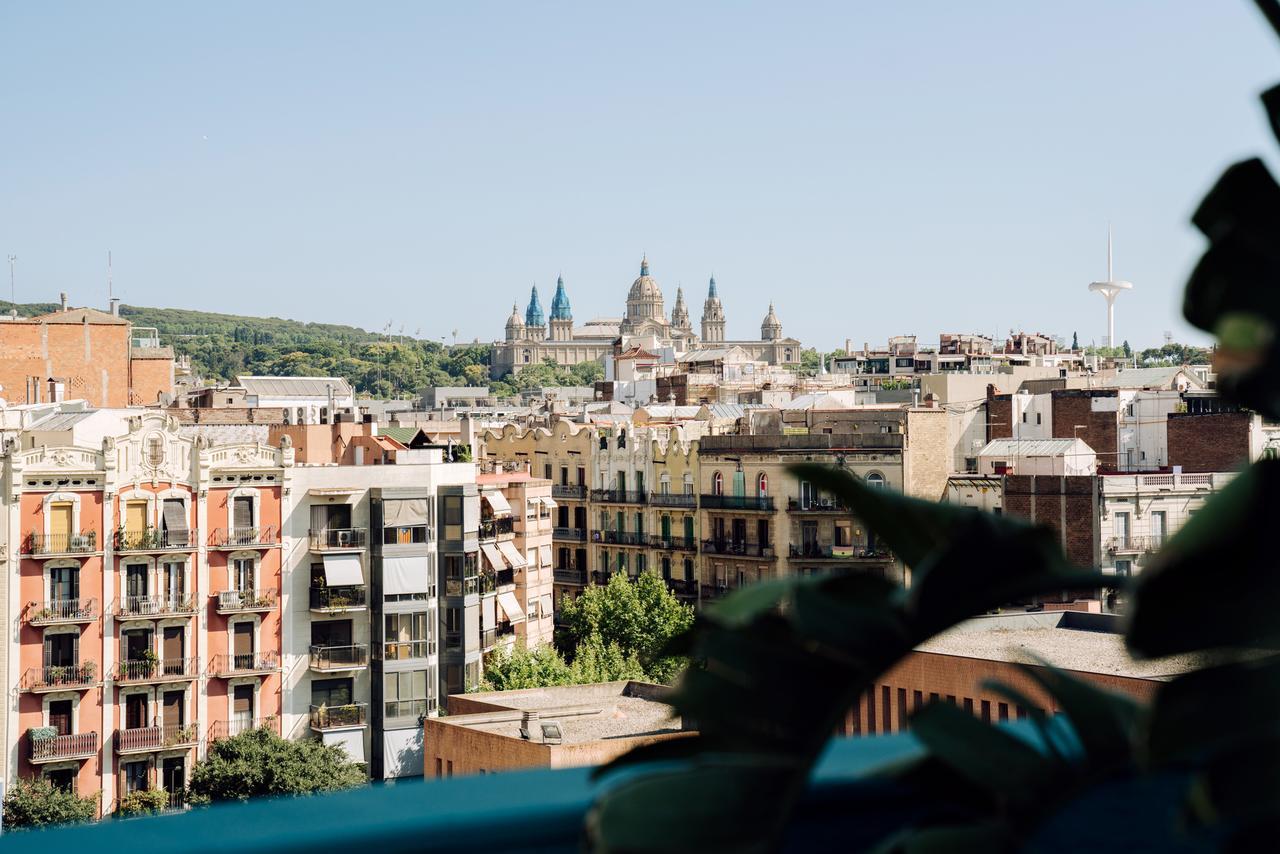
(259, 762)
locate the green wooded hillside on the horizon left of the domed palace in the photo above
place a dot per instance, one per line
(222, 346)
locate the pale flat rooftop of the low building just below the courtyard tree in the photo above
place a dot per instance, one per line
(584, 713)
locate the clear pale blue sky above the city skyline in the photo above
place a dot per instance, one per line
(875, 168)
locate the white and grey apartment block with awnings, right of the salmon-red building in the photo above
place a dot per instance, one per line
(382, 563)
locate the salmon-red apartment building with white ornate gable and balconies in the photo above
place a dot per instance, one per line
(144, 588)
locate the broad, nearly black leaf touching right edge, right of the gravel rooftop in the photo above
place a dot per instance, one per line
(1223, 549)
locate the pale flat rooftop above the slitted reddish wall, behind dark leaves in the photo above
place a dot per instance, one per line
(1082, 642)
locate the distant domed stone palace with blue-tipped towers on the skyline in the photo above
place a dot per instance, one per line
(533, 337)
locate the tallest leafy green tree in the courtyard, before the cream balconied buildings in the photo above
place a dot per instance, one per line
(637, 616)
